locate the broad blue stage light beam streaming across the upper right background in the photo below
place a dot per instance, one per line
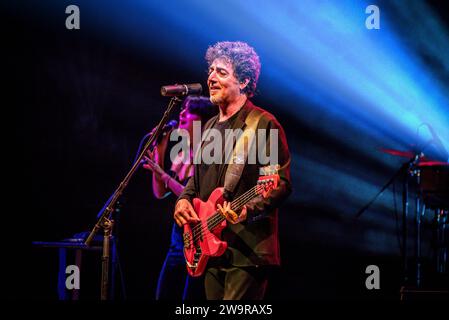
(363, 88)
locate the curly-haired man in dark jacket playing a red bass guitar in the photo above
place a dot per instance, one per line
(251, 234)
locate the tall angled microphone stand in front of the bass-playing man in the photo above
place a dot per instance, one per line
(105, 221)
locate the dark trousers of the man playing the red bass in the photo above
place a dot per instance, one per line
(236, 283)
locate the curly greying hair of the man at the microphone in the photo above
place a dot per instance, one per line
(243, 58)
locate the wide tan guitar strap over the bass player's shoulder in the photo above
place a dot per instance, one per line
(245, 143)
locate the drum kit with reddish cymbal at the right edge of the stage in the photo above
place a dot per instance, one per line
(430, 180)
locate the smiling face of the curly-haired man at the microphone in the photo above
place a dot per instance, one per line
(224, 87)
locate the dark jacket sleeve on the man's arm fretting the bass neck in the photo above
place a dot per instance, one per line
(260, 207)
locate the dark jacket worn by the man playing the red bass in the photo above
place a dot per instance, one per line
(254, 241)
